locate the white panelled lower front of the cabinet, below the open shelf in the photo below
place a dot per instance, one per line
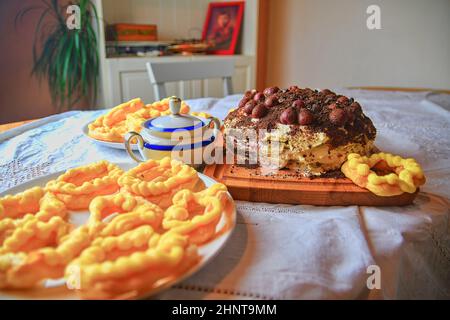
(128, 79)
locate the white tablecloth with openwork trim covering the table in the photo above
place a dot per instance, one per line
(292, 252)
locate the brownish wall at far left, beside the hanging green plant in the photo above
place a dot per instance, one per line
(21, 97)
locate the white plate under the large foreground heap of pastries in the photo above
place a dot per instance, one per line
(56, 289)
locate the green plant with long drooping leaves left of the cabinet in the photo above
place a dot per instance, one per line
(66, 57)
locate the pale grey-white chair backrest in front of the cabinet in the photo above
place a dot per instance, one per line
(160, 72)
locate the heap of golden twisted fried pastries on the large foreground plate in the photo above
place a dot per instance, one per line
(129, 244)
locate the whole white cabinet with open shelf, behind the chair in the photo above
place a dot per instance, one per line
(125, 78)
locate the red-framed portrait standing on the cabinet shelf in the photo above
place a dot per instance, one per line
(222, 26)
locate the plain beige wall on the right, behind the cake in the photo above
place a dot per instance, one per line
(325, 43)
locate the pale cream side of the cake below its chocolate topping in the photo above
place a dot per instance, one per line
(309, 153)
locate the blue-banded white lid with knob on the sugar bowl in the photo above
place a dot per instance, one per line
(175, 121)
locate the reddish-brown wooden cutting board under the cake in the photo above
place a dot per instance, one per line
(285, 186)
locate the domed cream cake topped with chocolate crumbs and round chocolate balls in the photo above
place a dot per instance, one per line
(308, 130)
